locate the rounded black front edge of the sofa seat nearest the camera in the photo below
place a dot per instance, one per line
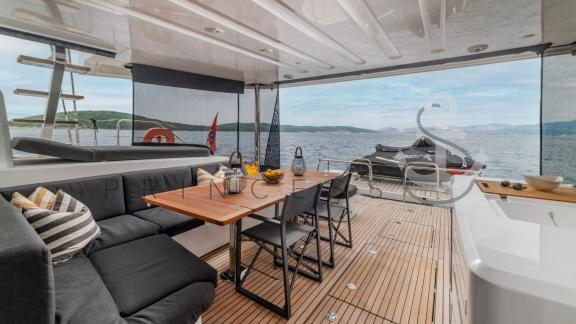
(184, 306)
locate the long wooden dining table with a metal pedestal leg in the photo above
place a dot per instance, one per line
(210, 204)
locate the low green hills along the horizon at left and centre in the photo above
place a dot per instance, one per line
(109, 120)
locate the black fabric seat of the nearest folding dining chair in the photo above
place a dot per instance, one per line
(269, 232)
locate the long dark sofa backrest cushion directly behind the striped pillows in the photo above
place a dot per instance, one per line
(104, 195)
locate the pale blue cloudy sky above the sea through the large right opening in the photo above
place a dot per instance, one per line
(504, 93)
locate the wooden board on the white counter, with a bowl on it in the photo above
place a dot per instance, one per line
(559, 194)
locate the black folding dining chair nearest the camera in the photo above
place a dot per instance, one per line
(282, 234)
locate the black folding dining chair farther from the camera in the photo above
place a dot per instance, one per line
(334, 215)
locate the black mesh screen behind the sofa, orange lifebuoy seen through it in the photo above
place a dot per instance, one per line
(184, 105)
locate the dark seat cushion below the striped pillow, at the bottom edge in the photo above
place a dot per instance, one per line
(81, 296)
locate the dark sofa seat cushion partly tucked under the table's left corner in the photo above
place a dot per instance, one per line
(171, 223)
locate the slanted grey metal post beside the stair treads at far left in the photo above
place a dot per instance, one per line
(54, 94)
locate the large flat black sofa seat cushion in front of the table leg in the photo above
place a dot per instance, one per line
(142, 272)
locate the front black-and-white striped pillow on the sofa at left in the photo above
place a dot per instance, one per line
(66, 228)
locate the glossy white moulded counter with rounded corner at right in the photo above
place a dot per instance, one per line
(527, 257)
